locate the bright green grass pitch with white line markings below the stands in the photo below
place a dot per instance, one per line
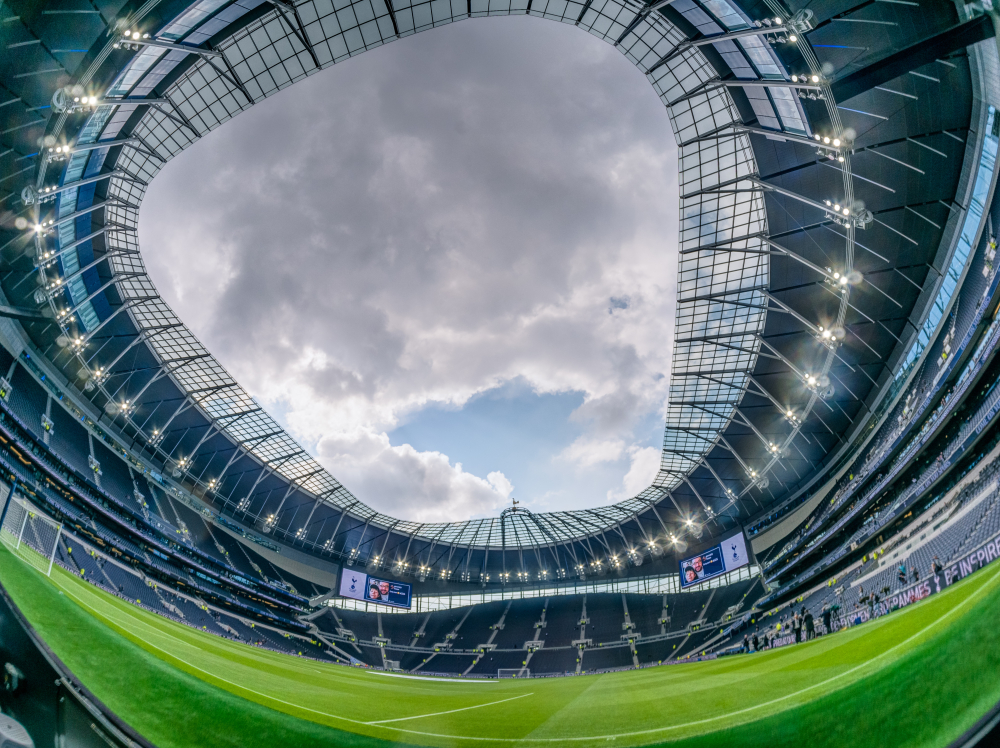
(917, 677)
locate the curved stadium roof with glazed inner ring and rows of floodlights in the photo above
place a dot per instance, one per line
(825, 155)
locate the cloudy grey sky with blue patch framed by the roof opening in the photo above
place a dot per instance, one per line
(446, 266)
